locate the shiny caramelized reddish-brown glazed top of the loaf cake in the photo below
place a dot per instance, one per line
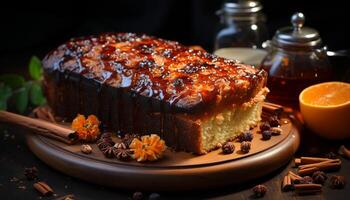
(161, 69)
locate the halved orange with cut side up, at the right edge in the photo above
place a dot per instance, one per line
(326, 109)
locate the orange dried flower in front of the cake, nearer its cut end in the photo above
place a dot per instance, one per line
(149, 148)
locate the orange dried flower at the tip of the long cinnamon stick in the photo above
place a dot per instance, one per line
(87, 129)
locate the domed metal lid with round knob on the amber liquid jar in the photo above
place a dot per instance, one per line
(297, 35)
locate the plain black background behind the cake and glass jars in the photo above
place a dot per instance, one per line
(36, 29)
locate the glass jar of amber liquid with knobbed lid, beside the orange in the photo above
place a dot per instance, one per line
(296, 59)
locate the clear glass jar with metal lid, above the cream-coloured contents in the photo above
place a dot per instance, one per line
(243, 25)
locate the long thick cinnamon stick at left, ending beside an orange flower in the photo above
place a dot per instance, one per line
(41, 127)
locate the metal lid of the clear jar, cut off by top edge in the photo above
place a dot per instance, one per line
(240, 8)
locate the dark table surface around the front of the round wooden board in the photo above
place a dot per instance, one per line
(15, 156)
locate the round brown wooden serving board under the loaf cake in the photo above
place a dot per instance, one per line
(177, 170)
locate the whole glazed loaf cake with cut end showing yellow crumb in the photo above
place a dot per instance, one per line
(141, 84)
